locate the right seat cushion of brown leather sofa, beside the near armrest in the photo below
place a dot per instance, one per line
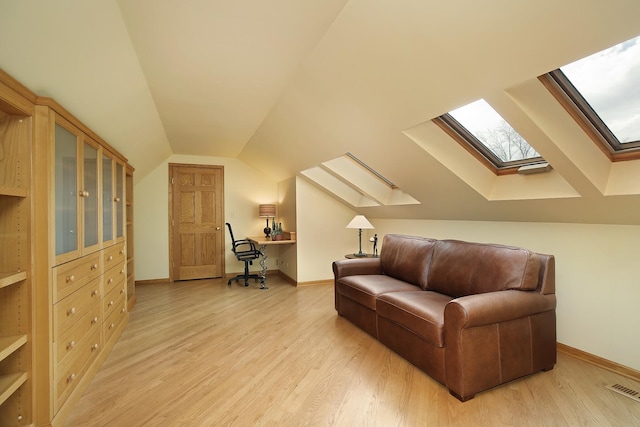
(421, 312)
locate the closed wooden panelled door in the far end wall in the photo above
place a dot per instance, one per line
(196, 222)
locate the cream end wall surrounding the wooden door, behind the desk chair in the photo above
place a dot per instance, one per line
(244, 189)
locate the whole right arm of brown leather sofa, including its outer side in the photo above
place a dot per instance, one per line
(494, 337)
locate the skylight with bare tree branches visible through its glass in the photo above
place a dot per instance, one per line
(479, 126)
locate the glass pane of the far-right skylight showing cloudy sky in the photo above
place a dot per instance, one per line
(610, 82)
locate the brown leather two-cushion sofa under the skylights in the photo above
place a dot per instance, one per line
(470, 315)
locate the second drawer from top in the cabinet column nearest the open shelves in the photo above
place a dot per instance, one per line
(75, 306)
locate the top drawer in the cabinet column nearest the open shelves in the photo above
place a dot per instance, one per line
(71, 276)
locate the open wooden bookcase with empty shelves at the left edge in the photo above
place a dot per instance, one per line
(16, 274)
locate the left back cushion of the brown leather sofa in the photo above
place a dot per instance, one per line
(407, 258)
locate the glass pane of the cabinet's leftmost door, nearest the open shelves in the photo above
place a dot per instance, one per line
(66, 191)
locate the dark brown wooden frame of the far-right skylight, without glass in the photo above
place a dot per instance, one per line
(559, 85)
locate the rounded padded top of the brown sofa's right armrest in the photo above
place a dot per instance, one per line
(495, 307)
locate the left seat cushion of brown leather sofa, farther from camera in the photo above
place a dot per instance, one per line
(365, 288)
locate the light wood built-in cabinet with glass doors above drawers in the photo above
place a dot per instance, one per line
(80, 203)
